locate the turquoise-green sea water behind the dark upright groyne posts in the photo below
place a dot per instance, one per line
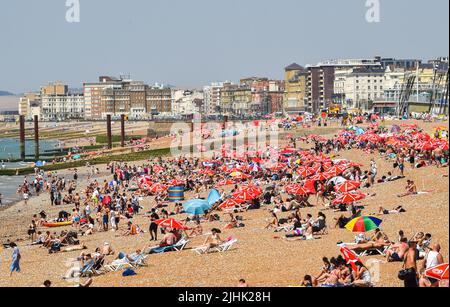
(10, 148)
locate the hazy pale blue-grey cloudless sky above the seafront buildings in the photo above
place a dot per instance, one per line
(194, 42)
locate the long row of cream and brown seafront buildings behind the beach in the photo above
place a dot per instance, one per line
(354, 85)
